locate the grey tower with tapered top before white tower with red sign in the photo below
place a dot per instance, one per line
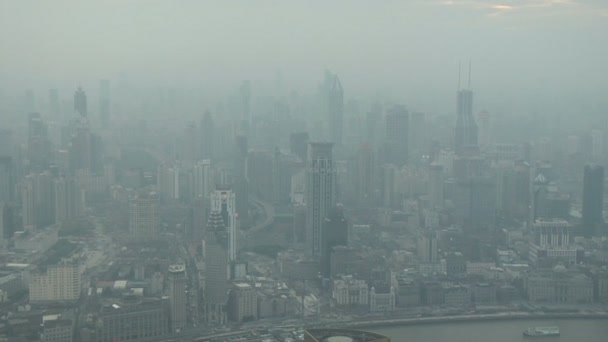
(216, 268)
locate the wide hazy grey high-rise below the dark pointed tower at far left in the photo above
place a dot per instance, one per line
(69, 199)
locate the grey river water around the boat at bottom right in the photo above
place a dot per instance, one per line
(572, 330)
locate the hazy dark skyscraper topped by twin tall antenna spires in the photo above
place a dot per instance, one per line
(465, 138)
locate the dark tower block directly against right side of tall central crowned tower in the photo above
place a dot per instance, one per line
(335, 233)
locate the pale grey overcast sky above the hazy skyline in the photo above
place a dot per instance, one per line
(521, 50)
